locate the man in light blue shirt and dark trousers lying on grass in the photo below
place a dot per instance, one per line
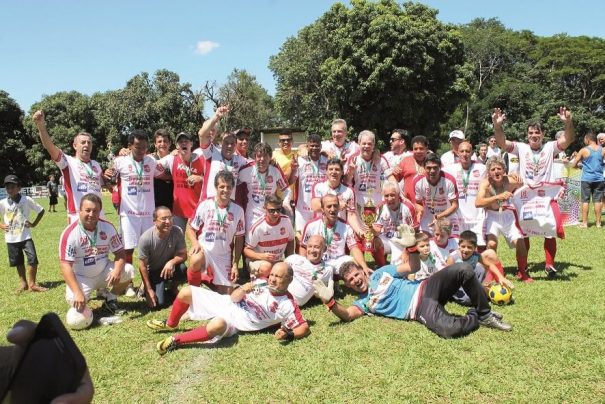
(388, 292)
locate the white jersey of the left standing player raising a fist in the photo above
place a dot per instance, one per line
(79, 179)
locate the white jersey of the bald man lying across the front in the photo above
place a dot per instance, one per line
(260, 309)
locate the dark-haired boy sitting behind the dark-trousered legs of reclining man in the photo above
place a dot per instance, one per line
(487, 266)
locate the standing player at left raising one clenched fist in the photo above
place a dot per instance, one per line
(81, 174)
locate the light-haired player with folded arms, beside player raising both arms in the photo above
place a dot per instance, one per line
(494, 196)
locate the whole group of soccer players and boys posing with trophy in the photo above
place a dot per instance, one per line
(299, 219)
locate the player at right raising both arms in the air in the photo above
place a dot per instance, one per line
(536, 163)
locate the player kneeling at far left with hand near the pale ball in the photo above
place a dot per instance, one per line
(84, 249)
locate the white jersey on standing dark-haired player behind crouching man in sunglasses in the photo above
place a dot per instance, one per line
(258, 186)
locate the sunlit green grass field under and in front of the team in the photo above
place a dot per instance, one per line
(554, 354)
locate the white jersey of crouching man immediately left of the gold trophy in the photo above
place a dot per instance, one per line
(338, 237)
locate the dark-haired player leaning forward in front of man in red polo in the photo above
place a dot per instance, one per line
(436, 196)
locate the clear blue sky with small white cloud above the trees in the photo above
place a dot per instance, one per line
(88, 46)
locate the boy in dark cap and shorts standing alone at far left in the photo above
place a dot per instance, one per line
(14, 211)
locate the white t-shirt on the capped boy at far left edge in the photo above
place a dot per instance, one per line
(15, 214)
